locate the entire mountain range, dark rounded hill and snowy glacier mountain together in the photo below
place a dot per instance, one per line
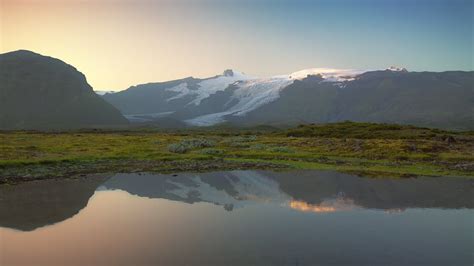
(40, 92)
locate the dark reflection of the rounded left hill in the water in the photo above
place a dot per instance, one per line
(35, 204)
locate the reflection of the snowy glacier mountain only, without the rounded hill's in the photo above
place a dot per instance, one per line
(242, 188)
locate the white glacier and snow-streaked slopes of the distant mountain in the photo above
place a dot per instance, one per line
(244, 94)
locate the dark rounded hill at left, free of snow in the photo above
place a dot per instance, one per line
(39, 92)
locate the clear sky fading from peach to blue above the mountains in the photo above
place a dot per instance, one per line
(120, 43)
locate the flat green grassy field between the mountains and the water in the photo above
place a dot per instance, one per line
(368, 149)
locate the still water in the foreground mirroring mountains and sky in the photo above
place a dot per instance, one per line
(238, 218)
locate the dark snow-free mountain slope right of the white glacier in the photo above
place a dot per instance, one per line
(442, 100)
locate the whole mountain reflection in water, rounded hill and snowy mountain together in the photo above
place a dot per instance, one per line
(36, 204)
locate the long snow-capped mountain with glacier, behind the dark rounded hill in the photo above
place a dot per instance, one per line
(319, 95)
